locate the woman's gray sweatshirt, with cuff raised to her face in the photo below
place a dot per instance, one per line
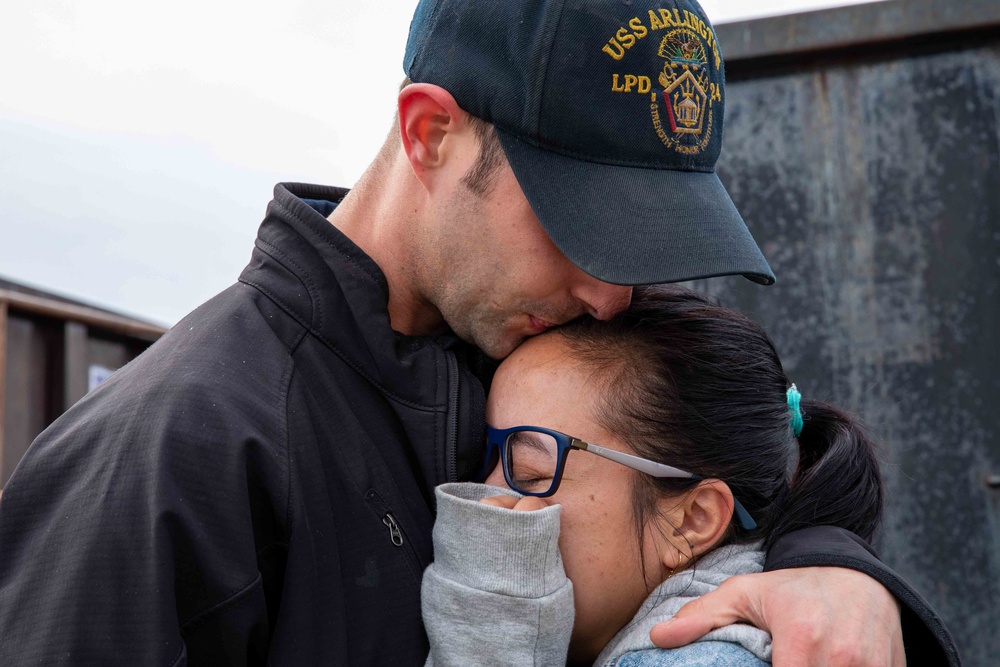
(497, 593)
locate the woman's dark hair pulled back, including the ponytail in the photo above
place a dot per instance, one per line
(700, 387)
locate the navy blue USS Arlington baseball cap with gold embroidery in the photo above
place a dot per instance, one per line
(610, 113)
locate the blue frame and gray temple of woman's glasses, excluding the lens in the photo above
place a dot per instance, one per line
(496, 441)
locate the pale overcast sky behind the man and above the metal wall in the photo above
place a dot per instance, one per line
(140, 142)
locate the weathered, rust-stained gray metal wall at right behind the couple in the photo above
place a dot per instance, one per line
(869, 171)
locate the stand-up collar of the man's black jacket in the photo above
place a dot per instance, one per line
(341, 296)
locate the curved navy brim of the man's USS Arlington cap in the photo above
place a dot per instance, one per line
(636, 226)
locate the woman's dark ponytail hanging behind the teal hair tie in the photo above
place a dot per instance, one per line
(837, 482)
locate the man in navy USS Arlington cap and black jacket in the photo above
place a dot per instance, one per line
(257, 487)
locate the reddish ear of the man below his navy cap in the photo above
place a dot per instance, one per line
(430, 121)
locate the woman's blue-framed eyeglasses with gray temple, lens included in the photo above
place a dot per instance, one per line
(532, 459)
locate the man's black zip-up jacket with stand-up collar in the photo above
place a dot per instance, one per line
(258, 486)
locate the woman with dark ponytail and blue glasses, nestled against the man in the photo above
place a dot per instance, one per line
(704, 457)
